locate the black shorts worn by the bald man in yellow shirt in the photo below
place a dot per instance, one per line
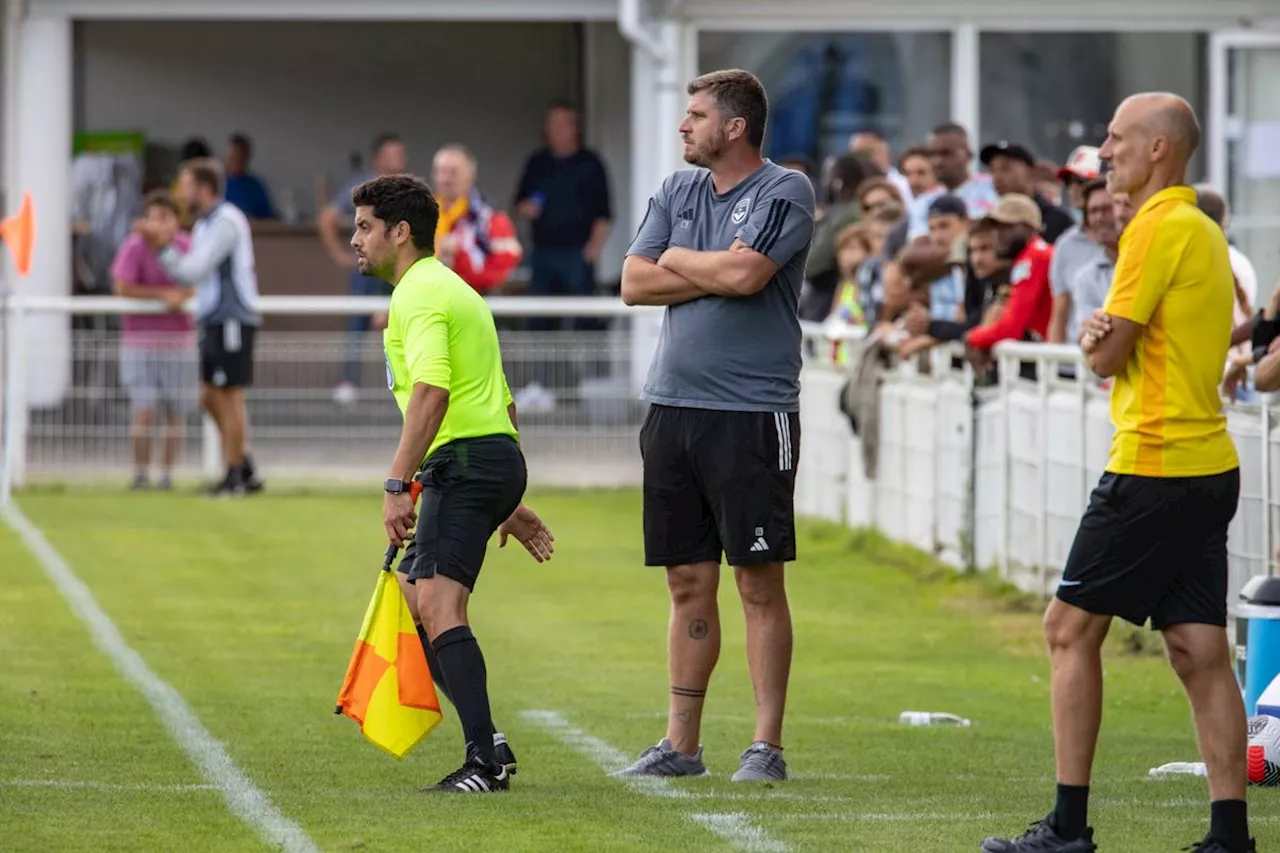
(1154, 548)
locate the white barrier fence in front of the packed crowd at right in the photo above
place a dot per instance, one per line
(998, 477)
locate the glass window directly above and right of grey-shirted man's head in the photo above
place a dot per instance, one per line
(824, 88)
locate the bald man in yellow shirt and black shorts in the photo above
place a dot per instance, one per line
(1153, 544)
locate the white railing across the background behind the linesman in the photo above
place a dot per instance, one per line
(67, 413)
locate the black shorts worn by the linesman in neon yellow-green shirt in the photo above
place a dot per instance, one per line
(470, 487)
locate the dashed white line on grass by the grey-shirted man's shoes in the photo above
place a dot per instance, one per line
(735, 828)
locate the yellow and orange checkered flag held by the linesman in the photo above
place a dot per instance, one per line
(388, 688)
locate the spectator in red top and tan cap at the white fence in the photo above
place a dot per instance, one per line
(1031, 303)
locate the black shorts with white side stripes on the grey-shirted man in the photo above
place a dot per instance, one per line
(719, 483)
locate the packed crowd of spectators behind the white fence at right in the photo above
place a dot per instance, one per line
(922, 250)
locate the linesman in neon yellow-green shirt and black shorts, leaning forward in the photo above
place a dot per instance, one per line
(459, 441)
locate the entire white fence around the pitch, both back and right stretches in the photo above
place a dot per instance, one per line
(988, 477)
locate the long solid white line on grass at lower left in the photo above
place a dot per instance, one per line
(244, 799)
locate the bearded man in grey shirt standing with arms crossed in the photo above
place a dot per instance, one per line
(724, 248)
